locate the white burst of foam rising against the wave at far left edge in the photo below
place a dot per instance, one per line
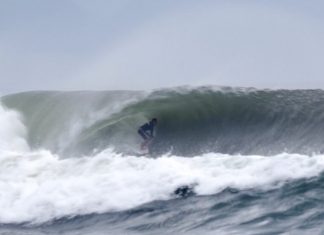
(12, 131)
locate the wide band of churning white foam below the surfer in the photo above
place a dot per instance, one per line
(39, 186)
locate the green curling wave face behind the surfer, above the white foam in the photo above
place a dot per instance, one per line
(191, 121)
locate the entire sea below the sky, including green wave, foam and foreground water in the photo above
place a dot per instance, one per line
(224, 161)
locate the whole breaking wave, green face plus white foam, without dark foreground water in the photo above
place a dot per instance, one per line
(42, 179)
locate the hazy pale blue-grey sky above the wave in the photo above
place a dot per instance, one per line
(145, 44)
